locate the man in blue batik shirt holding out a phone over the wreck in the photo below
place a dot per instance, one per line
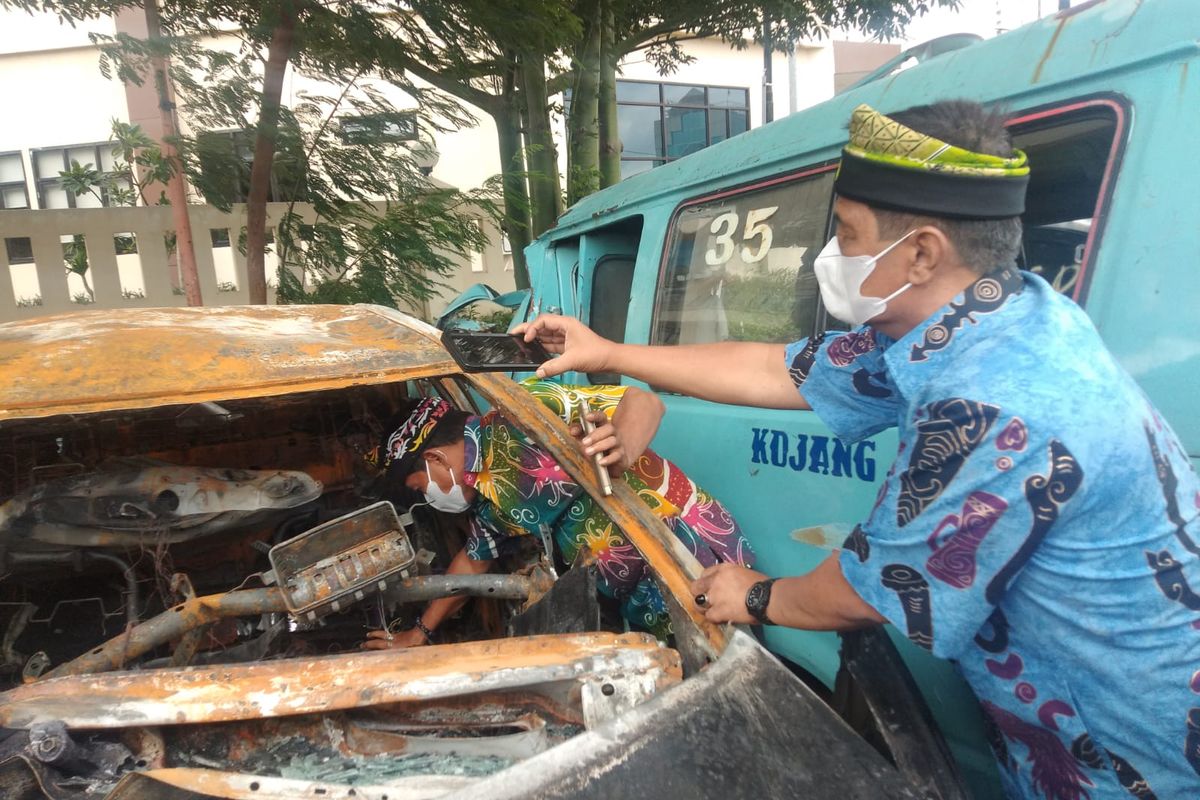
(1040, 526)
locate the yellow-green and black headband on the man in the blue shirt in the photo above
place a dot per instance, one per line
(891, 166)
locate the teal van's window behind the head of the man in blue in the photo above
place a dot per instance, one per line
(1070, 157)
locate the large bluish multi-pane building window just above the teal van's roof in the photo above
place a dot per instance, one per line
(664, 122)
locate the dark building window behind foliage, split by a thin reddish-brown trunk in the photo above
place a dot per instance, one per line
(226, 159)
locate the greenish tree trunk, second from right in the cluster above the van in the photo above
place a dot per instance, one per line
(583, 134)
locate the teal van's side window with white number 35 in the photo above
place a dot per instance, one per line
(740, 264)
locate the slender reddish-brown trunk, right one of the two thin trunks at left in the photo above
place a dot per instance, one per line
(278, 56)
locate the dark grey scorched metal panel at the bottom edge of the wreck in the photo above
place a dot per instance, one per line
(743, 730)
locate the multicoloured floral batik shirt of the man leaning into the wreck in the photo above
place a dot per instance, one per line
(521, 490)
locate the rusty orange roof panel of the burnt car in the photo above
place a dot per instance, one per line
(141, 358)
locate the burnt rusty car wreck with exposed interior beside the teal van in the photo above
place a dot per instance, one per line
(193, 555)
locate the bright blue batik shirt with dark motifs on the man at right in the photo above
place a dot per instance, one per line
(1040, 528)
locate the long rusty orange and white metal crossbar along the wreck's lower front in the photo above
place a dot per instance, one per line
(293, 687)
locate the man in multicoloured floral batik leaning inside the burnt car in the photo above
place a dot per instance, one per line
(513, 489)
